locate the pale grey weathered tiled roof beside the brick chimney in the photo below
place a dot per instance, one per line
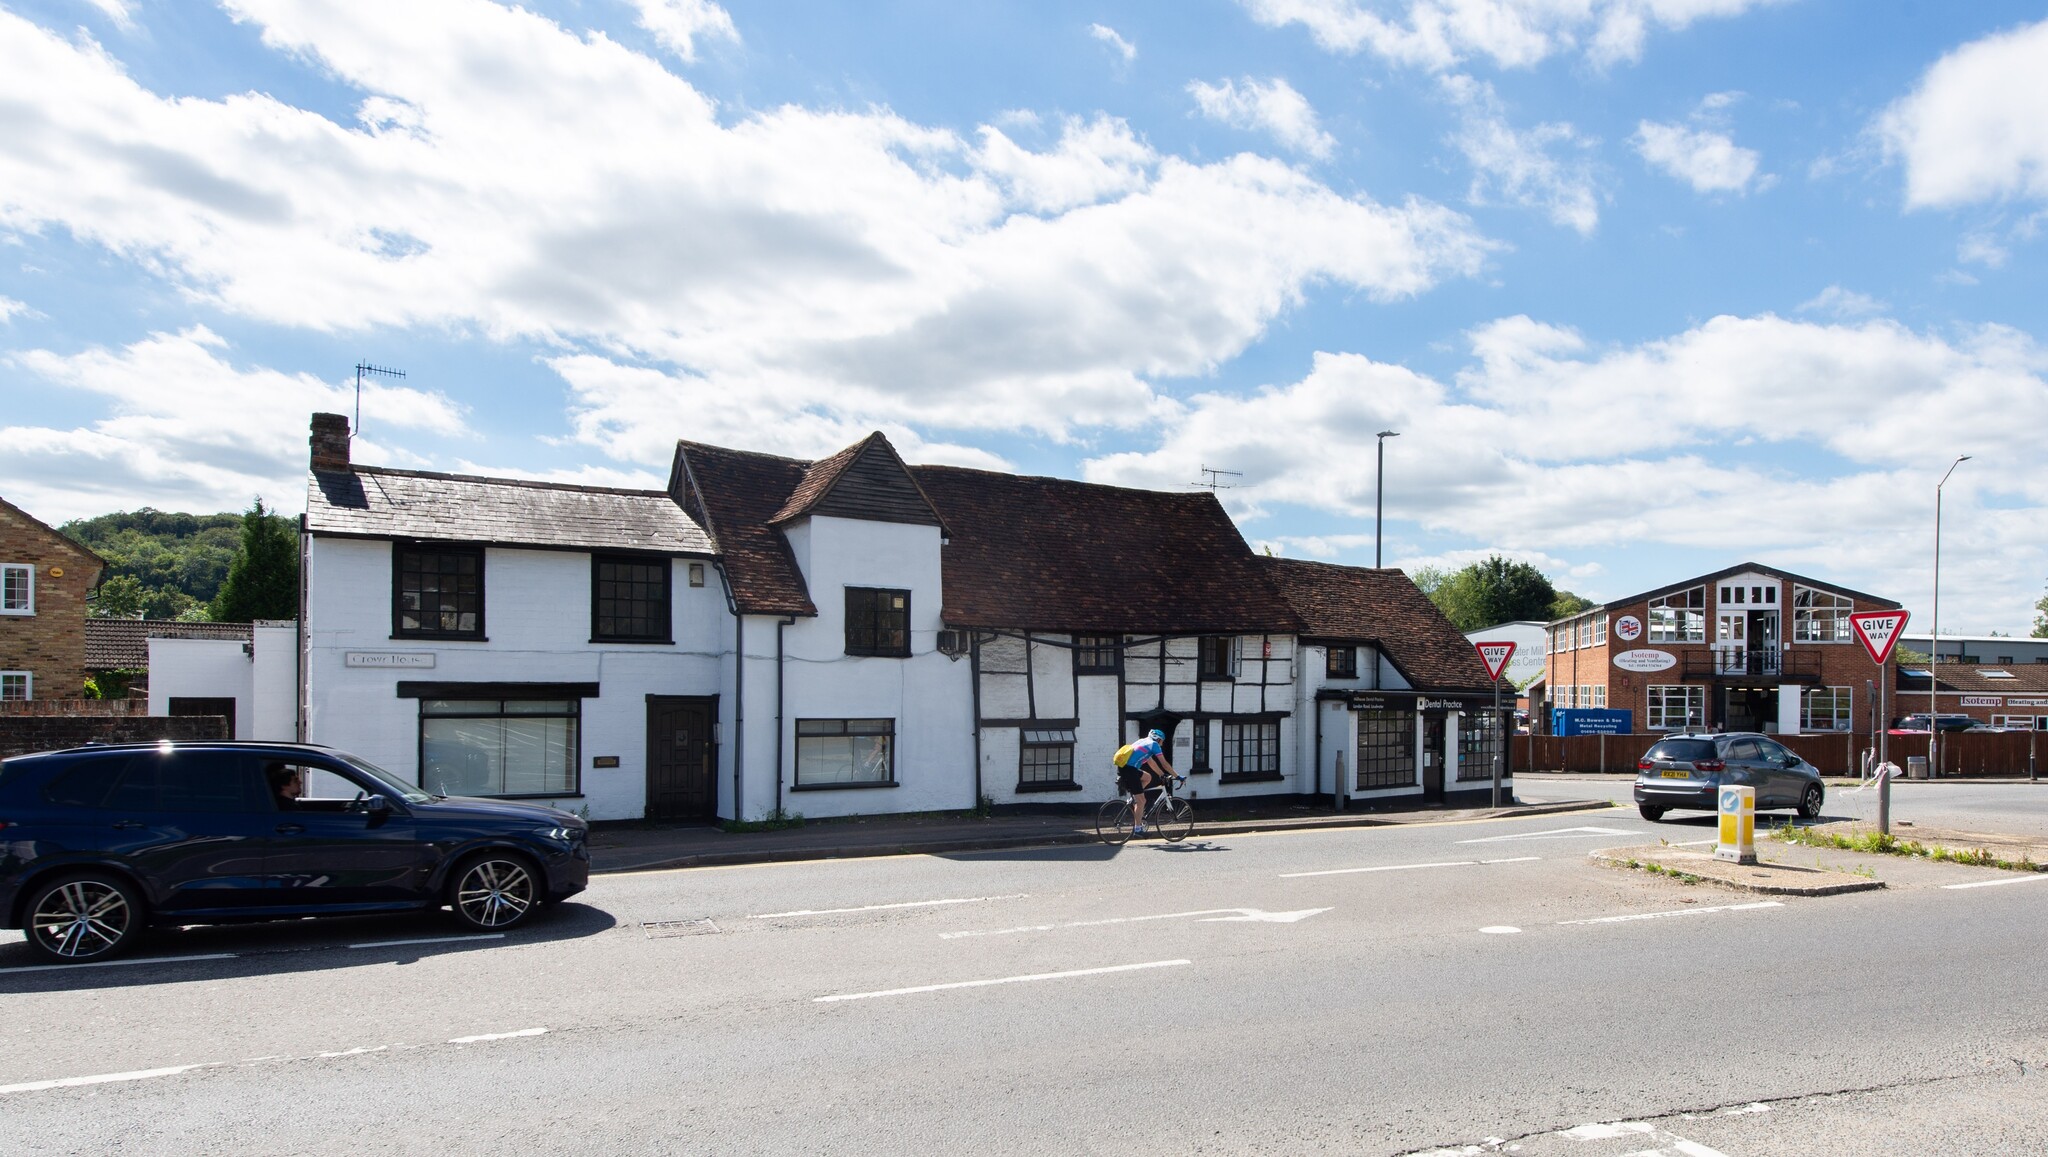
(378, 503)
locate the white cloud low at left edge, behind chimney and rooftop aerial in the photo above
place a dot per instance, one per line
(191, 431)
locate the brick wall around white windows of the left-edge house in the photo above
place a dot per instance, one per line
(52, 642)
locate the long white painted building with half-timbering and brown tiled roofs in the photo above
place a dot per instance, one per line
(837, 638)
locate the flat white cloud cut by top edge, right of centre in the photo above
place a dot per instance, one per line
(1514, 34)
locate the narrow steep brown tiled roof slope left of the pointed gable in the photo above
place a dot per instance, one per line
(738, 497)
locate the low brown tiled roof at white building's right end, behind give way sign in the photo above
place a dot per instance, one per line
(1381, 607)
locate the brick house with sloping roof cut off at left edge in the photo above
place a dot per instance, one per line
(44, 587)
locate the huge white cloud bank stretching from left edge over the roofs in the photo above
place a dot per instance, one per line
(523, 181)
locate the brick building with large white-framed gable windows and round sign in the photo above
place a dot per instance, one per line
(1746, 650)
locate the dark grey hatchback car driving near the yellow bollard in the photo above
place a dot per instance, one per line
(1687, 771)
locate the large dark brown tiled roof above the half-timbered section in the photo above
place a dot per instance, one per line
(1066, 556)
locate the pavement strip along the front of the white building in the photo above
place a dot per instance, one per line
(648, 847)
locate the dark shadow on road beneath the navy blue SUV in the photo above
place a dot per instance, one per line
(290, 947)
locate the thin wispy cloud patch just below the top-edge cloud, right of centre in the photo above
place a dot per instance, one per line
(1545, 167)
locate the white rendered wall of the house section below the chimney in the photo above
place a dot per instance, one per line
(538, 630)
